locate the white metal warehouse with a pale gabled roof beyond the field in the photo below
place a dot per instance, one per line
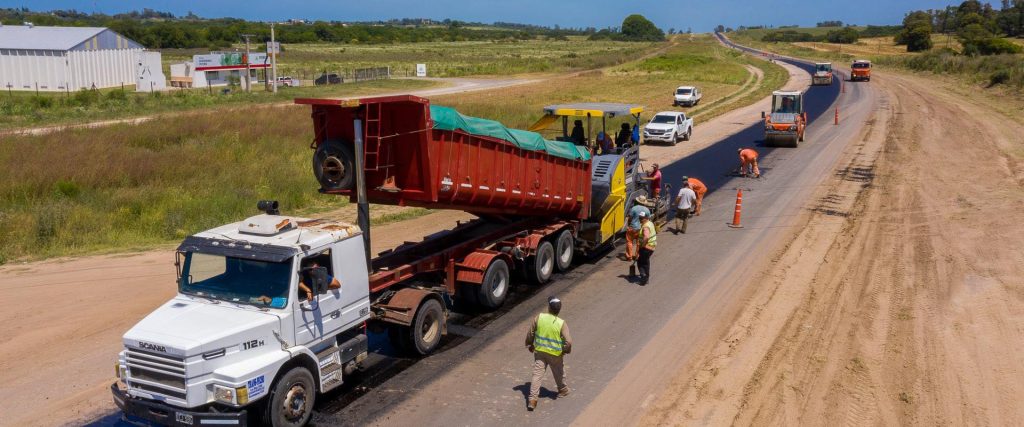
(67, 59)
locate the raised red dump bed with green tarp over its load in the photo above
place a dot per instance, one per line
(423, 156)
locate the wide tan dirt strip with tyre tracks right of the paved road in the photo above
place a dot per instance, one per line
(901, 302)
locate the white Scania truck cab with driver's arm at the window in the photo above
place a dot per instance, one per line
(243, 334)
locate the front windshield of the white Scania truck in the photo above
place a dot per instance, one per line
(236, 280)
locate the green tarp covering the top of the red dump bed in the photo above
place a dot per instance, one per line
(447, 118)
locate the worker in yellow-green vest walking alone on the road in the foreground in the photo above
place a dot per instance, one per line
(549, 341)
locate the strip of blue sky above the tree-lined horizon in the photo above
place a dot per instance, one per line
(702, 16)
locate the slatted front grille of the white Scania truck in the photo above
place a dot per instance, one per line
(160, 374)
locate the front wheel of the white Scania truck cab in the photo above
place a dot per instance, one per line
(291, 402)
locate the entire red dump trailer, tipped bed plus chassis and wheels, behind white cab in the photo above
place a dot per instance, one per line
(538, 201)
